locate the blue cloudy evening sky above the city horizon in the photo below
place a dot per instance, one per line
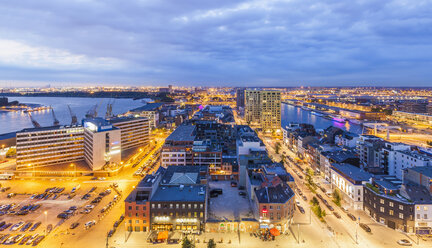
(217, 42)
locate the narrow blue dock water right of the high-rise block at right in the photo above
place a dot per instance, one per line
(296, 114)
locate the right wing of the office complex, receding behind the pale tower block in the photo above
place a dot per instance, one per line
(135, 132)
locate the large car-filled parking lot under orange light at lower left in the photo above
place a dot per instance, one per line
(29, 210)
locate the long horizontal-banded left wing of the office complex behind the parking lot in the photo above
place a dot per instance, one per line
(49, 145)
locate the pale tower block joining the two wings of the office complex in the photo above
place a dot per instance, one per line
(102, 143)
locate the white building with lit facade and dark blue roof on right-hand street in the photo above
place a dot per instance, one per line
(349, 180)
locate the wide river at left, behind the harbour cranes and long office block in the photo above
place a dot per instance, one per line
(14, 121)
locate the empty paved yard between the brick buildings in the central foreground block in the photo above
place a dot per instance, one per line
(230, 204)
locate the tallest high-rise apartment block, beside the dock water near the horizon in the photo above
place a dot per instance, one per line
(263, 107)
